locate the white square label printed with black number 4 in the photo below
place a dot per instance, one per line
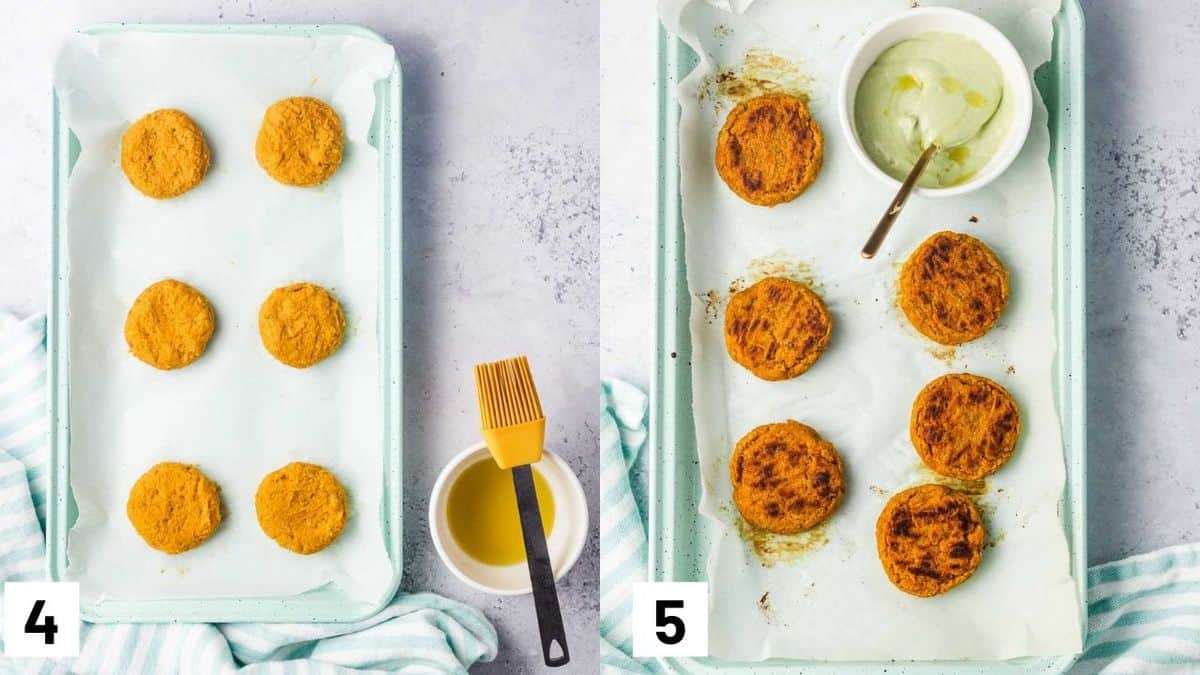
(41, 619)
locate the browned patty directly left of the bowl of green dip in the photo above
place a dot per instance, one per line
(770, 150)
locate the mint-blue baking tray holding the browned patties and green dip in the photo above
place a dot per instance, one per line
(681, 537)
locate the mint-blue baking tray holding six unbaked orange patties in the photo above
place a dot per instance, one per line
(325, 605)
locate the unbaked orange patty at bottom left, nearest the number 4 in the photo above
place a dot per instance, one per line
(175, 507)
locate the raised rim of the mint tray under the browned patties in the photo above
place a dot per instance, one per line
(670, 372)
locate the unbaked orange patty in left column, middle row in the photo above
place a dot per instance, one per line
(170, 325)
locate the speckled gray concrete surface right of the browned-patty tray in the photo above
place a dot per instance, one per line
(1144, 276)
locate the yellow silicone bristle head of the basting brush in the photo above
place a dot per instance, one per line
(509, 413)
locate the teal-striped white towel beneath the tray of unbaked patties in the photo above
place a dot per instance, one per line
(418, 634)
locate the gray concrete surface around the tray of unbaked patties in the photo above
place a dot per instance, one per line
(501, 230)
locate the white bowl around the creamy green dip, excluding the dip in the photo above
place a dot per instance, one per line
(913, 23)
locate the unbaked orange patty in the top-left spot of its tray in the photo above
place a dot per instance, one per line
(165, 154)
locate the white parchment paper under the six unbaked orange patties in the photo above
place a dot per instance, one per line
(236, 413)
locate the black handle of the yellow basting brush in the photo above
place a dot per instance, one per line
(542, 575)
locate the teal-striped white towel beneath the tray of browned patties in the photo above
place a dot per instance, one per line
(1144, 612)
